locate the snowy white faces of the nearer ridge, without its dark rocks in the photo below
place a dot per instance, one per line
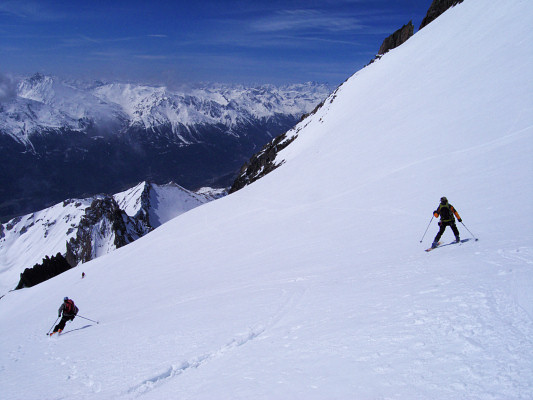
(26, 240)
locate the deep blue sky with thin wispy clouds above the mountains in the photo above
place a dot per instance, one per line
(173, 42)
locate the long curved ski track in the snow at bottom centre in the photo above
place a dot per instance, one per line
(238, 341)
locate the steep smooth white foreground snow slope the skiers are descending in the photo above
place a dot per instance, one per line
(311, 283)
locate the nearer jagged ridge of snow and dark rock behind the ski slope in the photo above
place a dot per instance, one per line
(84, 229)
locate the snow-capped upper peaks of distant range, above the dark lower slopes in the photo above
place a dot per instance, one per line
(45, 103)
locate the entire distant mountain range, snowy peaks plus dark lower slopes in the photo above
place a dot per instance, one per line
(62, 139)
